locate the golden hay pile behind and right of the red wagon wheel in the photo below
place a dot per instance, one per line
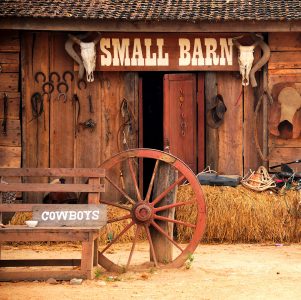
(241, 215)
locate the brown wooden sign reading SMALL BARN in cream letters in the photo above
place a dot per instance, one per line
(156, 52)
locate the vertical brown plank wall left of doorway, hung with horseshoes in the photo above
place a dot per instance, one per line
(53, 140)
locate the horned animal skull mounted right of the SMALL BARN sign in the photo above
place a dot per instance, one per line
(246, 58)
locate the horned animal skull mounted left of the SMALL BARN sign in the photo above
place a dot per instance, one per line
(88, 55)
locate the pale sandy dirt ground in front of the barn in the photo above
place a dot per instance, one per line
(217, 272)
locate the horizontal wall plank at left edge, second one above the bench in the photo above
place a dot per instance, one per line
(13, 134)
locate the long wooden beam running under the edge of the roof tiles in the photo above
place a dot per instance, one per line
(60, 24)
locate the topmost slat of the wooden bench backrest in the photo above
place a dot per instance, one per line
(53, 172)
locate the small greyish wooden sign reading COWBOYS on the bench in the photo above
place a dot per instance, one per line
(71, 215)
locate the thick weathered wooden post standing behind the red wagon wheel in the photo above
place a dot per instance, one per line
(163, 247)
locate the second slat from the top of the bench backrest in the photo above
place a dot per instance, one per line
(45, 187)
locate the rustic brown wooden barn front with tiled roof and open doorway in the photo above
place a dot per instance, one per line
(166, 75)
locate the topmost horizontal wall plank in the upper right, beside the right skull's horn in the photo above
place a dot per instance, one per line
(285, 41)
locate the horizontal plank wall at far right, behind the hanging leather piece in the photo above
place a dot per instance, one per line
(284, 70)
